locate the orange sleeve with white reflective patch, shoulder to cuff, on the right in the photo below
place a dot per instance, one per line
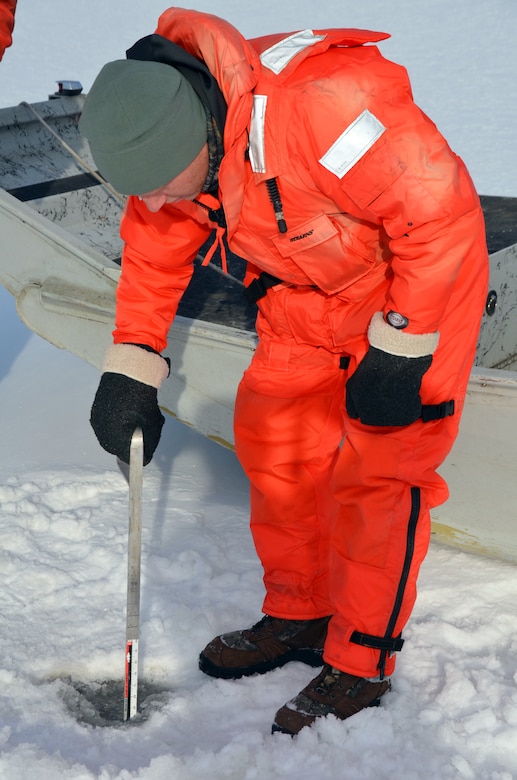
(408, 182)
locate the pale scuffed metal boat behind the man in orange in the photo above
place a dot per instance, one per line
(61, 261)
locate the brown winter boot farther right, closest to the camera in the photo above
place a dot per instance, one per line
(331, 693)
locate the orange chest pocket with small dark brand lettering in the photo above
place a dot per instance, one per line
(330, 255)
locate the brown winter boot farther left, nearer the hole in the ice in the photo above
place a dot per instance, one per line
(270, 643)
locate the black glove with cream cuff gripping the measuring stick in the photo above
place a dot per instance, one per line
(127, 398)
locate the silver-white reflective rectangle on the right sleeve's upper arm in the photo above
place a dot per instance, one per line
(352, 144)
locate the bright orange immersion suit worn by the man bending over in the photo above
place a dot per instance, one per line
(335, 183)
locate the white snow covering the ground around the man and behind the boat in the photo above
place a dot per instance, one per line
(452, 712)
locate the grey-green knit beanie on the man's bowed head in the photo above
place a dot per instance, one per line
(144, 124)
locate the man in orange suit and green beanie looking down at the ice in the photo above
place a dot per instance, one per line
(367, 259)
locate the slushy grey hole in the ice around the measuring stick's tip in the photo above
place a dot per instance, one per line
(102, 703)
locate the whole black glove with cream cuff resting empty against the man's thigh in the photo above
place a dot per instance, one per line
(384, 390)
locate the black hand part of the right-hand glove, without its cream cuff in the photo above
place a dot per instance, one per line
(384, 389)
